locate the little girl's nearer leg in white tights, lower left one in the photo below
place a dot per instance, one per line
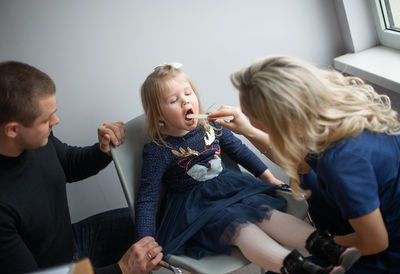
(259, 248)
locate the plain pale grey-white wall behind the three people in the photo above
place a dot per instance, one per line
(99, 52)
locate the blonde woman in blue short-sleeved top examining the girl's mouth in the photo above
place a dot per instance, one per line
(308, 119)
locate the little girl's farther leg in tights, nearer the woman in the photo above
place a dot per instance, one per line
(287, 229)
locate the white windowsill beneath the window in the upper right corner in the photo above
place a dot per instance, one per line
(378, 65)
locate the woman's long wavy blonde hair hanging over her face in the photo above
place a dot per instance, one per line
(305, 109)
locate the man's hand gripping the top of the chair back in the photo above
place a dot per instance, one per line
(111, 132)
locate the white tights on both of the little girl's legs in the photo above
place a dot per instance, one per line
(263, 243)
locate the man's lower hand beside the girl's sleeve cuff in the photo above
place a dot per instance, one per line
(142, 257)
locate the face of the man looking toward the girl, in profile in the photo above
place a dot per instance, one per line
(37, 134)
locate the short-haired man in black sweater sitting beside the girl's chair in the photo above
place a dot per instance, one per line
(35, 227)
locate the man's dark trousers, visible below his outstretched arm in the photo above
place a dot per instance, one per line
(104, 237)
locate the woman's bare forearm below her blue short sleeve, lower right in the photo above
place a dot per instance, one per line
(370, 235)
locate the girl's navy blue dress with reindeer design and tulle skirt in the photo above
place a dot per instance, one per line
(205, 202)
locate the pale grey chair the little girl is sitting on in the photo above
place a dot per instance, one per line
(128, 163)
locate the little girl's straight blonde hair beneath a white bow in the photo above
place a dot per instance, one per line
(151, 91)
